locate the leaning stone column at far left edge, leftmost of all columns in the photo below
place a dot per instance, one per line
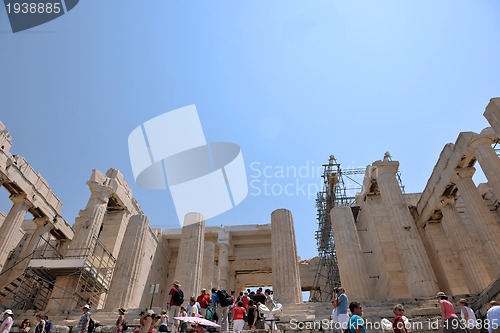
(11, 225)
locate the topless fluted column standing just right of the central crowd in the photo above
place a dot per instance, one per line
(285, 263)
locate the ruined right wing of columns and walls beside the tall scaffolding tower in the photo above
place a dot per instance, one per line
(444, 239)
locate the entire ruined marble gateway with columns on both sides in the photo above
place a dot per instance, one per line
(394, 245)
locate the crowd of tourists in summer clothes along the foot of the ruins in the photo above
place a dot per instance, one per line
(252, 310)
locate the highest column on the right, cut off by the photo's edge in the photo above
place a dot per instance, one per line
(490, 163)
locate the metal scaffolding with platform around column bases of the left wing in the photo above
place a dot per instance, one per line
(90, 271)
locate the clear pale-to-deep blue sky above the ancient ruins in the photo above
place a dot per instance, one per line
(290, 82)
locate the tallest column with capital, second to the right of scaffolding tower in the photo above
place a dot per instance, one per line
(416, 265)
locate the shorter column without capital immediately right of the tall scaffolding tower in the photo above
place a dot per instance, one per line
(353, 275)
